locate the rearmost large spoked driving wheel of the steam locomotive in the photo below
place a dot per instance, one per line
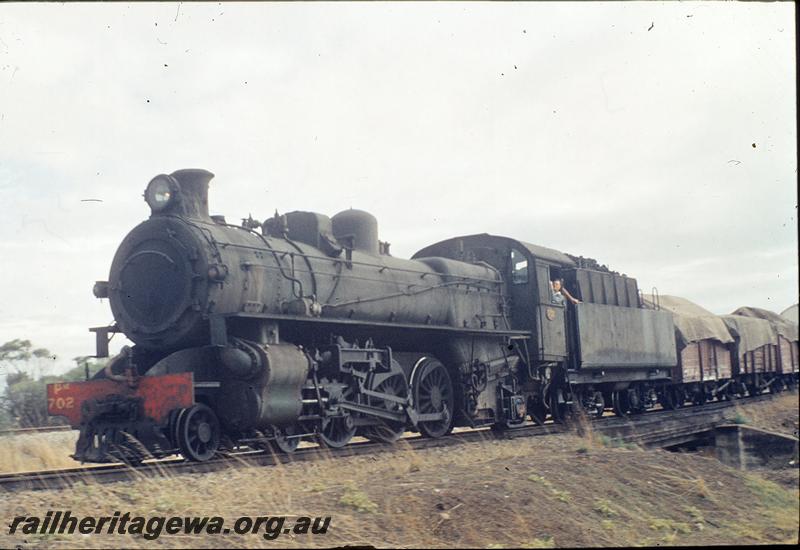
(433, 393)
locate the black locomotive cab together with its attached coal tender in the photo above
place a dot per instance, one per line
(603, 350)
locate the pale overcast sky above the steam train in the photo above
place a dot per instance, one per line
(657, 138)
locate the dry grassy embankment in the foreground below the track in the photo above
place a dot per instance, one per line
(563, 490)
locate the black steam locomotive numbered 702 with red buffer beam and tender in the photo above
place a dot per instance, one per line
(306, 327)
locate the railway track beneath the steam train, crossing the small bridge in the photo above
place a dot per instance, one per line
(653, 429)
